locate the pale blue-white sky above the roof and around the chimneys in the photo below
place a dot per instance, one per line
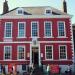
(53, 3)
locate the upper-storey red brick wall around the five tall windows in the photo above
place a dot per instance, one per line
(41, 29)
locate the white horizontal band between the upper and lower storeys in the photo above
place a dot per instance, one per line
(38, 42)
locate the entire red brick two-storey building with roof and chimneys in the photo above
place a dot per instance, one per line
(35, 35)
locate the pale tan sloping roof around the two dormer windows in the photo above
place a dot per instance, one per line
(39, 10)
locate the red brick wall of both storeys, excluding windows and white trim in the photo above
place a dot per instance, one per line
(41, 35)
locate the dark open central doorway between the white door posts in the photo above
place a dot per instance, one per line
(35, 56)
